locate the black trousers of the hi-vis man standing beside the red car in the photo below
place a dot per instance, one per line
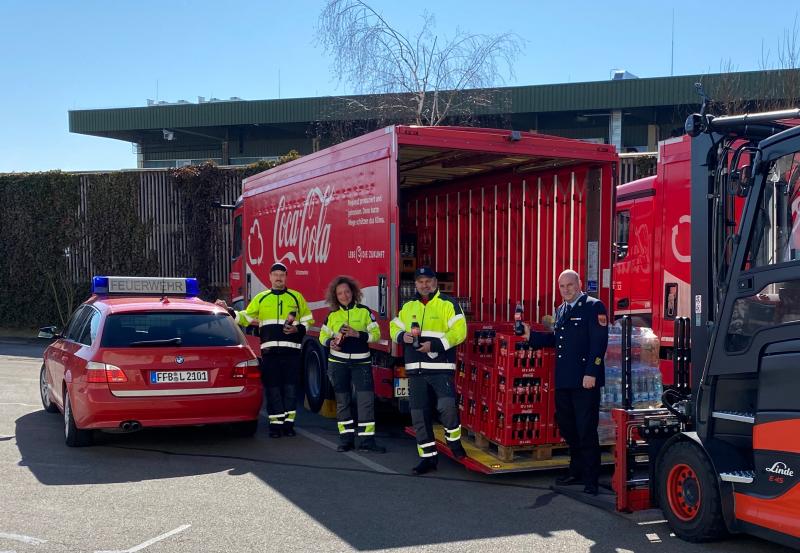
(279, 373)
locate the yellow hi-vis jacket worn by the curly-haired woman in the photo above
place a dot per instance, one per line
(358, 317)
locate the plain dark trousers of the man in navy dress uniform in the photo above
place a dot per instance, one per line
(577, 415)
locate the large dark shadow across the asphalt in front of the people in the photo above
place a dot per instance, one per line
(367, 509)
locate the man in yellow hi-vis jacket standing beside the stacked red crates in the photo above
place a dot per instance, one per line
(430, 327)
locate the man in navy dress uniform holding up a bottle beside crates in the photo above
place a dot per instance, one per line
(580, 338)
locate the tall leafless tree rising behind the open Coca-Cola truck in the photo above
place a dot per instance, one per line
(424, 78)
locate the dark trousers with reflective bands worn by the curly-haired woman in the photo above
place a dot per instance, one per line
(345, 376)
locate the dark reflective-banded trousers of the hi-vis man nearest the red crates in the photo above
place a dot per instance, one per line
(420, 388)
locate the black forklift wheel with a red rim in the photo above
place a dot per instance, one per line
(688, 493)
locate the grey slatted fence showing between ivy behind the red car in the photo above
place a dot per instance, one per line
(161, 204)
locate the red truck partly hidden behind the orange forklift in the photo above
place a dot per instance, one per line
(652, 262)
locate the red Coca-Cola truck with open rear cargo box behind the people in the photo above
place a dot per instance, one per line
(497, 213)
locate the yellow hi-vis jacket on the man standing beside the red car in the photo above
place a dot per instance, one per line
(270, 309)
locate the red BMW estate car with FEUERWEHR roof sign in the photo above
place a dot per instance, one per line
(146, 352)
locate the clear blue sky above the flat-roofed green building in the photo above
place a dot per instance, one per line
(63, 55)
